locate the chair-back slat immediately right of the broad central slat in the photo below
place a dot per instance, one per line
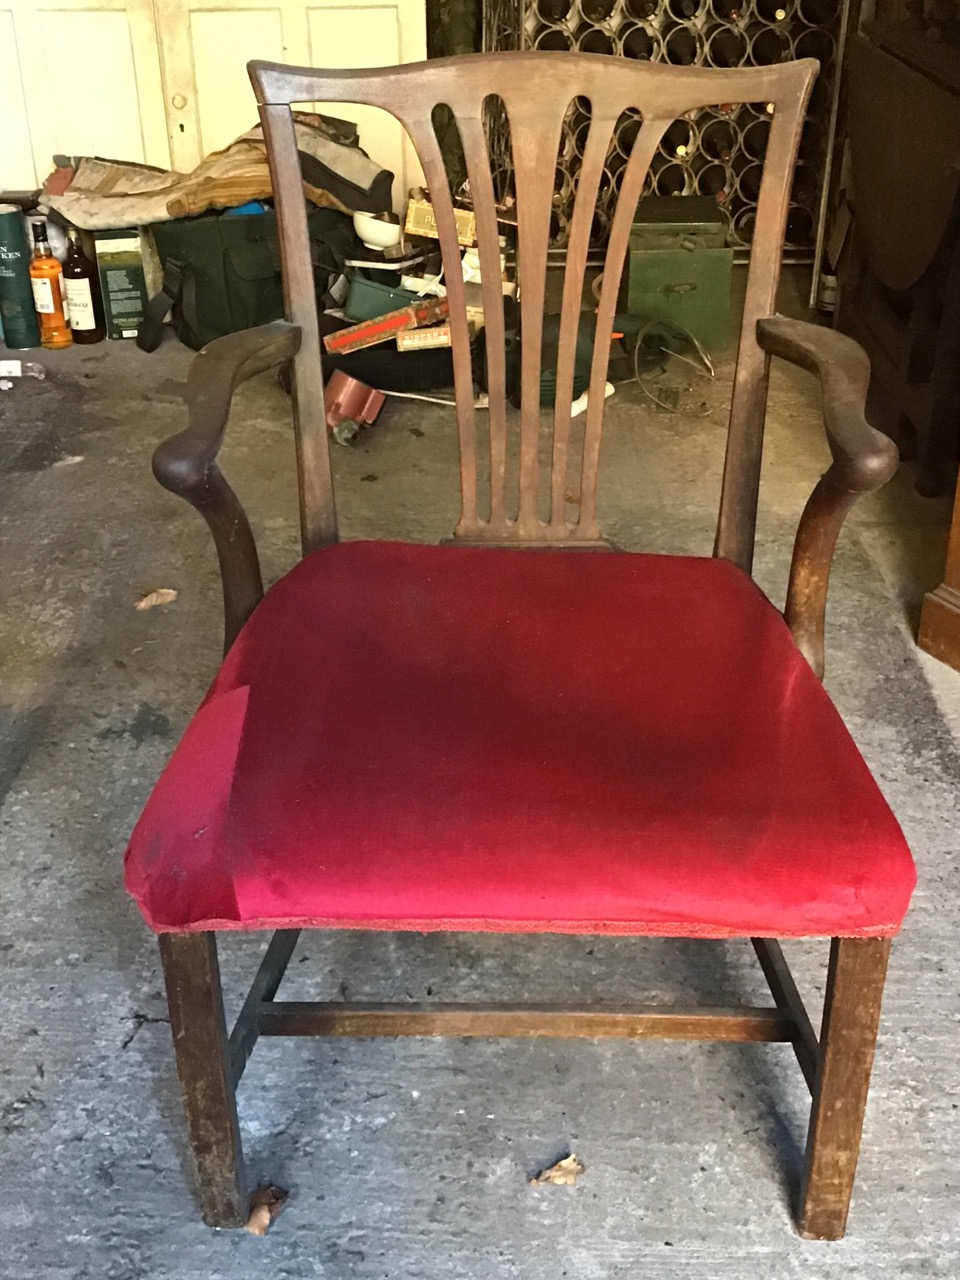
(578, 248)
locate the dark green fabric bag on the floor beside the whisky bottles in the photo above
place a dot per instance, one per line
(222, 272)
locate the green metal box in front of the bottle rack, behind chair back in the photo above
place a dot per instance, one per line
(679, 269)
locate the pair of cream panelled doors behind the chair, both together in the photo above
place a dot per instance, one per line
(164, 81)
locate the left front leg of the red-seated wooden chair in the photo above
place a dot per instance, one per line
(200, 1039)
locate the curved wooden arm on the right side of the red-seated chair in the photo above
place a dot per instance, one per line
(863, 461)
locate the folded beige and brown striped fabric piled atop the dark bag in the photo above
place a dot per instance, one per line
(337, 175)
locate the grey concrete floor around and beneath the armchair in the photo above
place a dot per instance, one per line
(412, 1159)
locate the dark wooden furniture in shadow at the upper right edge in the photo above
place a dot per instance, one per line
(900, 285)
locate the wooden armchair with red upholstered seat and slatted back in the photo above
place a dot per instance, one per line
(552, 743)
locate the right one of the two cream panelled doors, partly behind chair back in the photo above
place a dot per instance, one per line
(207, 44)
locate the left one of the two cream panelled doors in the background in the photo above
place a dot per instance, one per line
(79, 77)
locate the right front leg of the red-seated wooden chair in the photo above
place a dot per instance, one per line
(851, 1018)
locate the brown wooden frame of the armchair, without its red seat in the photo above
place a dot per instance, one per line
(536, 90)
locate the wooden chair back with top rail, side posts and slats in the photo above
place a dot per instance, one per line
(533, 509)
